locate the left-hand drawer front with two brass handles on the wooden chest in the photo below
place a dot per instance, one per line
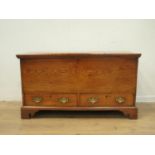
(55, 100)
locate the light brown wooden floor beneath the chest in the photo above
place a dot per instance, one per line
(76, 123)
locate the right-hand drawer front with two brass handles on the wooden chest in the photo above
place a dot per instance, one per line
(106, 100)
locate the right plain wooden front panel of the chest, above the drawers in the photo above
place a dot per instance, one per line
(107, 75)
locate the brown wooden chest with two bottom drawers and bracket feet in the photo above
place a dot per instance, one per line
(79, 81)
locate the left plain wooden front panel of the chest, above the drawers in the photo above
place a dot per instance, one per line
(49, 75)
